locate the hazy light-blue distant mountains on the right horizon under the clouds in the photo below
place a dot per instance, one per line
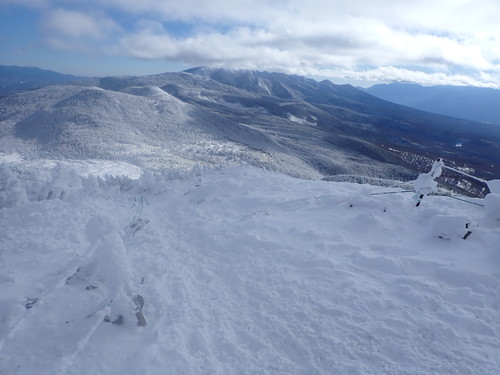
(471, 103)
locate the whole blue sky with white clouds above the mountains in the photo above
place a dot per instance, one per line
(430, 42)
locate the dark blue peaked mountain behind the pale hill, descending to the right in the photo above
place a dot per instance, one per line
(345, 118)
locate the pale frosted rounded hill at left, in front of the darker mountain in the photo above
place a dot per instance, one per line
(144, 125)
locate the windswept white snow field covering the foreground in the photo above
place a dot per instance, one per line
(242, 271)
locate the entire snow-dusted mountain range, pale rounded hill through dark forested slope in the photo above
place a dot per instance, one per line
(207, 116)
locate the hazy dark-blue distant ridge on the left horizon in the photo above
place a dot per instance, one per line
(13, 78)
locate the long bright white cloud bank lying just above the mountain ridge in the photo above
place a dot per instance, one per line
(321, 48)
